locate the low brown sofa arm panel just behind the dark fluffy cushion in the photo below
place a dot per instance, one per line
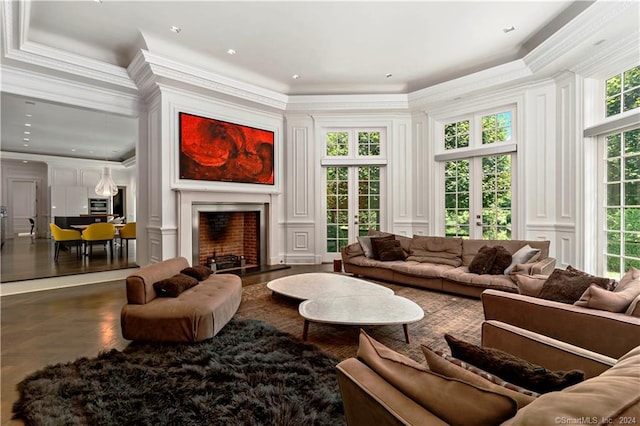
(542, 350)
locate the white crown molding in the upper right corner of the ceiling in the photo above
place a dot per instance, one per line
(594, 18)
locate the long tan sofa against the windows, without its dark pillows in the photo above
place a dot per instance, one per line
(438, 270)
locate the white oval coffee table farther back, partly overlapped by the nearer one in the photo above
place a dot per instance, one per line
(315, 285)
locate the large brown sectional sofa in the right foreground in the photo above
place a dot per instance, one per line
(380, 386)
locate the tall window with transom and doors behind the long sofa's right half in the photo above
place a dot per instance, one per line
(477, 186)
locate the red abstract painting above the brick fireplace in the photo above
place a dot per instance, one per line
(220, 151)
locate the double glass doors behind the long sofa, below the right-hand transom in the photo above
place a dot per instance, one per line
(478, 195)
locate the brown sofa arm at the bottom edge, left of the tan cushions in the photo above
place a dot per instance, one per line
(369, 399)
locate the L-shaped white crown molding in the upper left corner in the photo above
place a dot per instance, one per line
(17, 48)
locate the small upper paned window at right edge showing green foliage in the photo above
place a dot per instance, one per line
(623, 92)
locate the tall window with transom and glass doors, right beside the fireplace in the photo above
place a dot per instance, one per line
(353, 180)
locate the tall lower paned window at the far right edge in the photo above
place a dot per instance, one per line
(622, 205)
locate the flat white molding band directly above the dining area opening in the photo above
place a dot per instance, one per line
(55, 89)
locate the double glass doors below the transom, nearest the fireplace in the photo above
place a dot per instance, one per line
(352, 204)
